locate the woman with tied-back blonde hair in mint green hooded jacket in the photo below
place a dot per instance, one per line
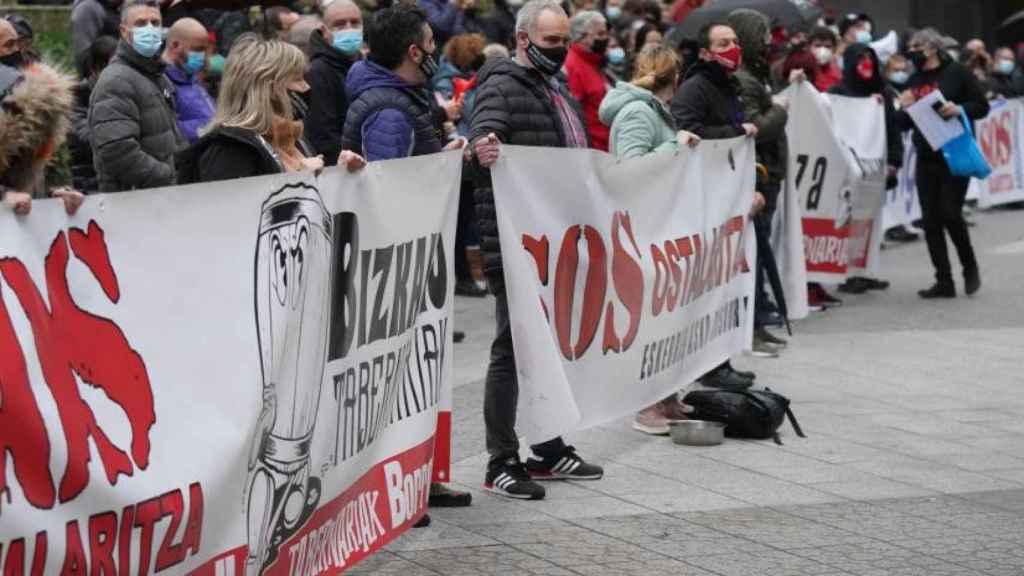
(642, 125)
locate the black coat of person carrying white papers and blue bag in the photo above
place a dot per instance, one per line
(959, 86)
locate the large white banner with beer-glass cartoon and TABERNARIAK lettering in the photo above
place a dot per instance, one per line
(242, 378)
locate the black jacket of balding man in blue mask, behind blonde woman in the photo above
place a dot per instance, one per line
(328, 99)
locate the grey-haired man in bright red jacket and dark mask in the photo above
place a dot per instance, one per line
(585, 71)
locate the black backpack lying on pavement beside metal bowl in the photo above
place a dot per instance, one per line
(756, 415)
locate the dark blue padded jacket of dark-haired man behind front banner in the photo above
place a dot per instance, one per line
(390, 118)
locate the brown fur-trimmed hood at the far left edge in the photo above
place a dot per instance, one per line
(36, 114)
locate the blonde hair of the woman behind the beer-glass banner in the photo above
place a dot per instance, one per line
(254, 89)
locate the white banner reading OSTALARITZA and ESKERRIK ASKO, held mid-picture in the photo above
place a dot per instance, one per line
(626, 281)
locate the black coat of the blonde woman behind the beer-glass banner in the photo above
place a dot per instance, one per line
(227, 154)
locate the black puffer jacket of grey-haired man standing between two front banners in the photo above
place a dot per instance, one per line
(513, 103)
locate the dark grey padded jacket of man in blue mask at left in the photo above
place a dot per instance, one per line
(135, 129)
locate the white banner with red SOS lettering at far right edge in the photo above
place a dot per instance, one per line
(1002, 138)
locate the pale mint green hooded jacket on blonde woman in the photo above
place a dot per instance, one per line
(641, 124)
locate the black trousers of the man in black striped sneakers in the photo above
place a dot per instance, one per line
(502, 392)
